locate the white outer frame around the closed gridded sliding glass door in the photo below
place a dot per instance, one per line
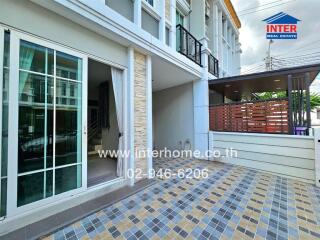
(12, 209)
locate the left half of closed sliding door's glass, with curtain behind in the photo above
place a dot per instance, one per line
(35, 127)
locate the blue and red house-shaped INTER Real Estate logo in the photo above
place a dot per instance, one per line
(282, 26)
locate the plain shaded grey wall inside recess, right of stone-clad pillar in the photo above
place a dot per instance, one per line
(173, 117)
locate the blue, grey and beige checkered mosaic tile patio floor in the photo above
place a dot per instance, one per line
(232, 203)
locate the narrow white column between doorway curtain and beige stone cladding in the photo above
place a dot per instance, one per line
(131, 164)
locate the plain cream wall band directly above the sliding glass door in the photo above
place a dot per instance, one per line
(49, 25)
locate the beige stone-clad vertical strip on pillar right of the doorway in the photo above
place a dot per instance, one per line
(140, 110)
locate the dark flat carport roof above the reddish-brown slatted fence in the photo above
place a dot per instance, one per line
(271, 81)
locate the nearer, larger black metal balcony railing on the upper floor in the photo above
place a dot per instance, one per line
(188, 45)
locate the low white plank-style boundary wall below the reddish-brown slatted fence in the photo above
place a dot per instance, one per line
(285, 155)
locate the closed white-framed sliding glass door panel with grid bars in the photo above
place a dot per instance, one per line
(48, 121)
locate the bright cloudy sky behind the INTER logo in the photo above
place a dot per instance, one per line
(253, 40)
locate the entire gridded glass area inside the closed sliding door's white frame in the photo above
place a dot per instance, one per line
(37, 106)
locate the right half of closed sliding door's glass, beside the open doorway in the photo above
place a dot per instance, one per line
(68, 123)
